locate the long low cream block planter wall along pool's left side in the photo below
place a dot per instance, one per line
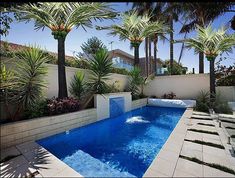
(34, 129)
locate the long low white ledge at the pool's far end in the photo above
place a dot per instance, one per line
(171, 103)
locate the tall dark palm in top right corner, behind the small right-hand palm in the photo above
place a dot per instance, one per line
(202, 14)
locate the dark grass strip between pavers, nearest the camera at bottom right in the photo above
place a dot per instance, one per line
(213, 165)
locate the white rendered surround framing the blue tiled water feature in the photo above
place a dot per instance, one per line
(102, 103)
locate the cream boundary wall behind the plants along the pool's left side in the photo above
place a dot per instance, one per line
(52, 79)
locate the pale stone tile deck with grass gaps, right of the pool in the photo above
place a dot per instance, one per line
(173, 166)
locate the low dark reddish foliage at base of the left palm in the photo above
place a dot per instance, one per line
(58, 106)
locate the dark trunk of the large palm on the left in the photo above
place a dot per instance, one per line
(61, 69)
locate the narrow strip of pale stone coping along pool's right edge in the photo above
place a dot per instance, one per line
(165, 162)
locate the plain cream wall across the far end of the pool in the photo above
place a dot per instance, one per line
(184, 86)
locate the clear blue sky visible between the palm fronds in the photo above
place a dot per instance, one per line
(24, 34)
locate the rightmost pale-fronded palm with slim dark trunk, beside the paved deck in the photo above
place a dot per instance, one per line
(211, 43)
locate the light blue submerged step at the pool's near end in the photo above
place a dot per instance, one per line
(89, 166)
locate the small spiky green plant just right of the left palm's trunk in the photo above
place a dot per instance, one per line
(77, 85)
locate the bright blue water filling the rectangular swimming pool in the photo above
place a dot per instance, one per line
(122, 146)
